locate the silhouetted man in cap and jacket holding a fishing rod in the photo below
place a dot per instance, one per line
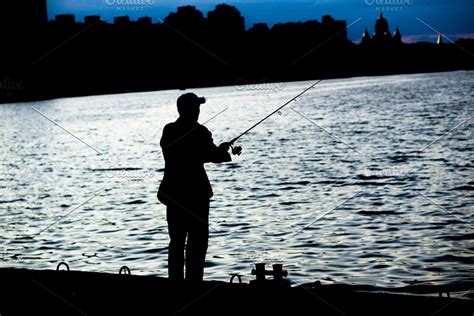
(185, 188)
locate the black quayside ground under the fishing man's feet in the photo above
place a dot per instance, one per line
(32, 292)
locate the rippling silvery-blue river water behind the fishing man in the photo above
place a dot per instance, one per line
(362, 180)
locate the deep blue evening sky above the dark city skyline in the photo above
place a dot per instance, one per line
(418, 20)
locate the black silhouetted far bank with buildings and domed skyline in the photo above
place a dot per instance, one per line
(46, 59)
